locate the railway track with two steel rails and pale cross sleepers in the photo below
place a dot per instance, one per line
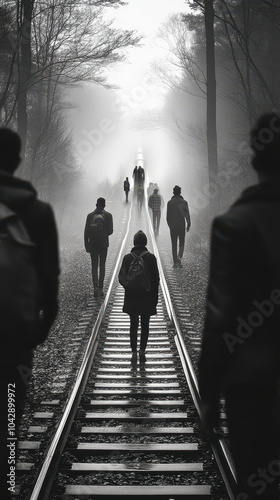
(130, 430)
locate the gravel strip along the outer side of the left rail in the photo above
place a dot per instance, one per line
(57, 360)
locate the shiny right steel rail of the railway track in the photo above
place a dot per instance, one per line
(218, 444)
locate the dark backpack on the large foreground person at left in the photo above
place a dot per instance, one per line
(19, 291)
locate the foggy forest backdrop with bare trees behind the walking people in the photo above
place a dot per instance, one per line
(87, 83)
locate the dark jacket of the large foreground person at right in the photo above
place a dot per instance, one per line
(241, 339)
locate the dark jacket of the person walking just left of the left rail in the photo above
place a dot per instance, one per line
(100, 239)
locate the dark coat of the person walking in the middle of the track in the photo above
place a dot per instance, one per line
(141, 303)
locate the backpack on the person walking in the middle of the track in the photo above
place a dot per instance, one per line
(138, 276)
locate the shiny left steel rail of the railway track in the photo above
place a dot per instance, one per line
(44, 481)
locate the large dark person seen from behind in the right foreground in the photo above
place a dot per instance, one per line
(241, 342)
